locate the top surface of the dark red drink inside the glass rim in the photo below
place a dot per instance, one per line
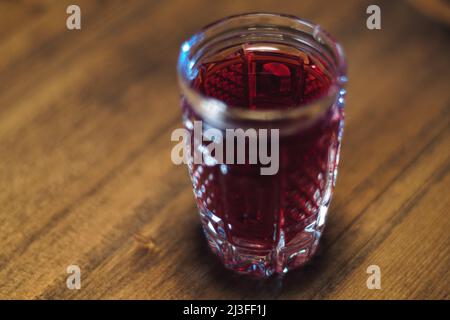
(263, 77)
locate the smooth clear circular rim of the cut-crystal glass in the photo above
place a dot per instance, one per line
(220, 113)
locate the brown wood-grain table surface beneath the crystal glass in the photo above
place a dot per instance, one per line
(86, 176)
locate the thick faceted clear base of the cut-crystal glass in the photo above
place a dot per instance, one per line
(262, 262)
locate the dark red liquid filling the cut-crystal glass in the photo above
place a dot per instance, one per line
(262, 224)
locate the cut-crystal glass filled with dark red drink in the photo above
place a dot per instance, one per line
(265, 71)
